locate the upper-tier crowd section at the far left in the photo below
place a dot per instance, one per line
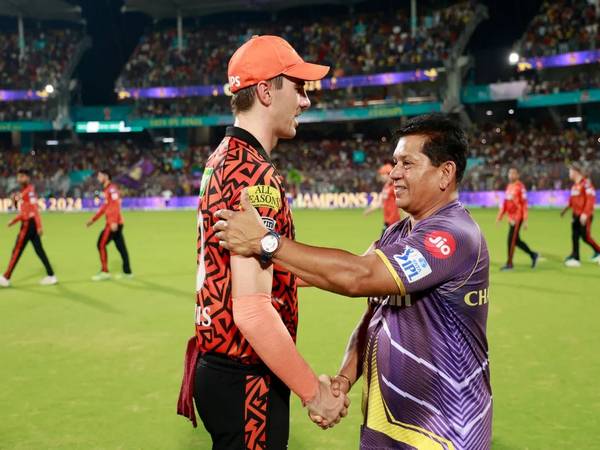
(47, 52)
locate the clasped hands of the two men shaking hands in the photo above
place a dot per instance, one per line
(331, 403)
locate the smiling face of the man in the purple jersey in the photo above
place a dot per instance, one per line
(416, 180)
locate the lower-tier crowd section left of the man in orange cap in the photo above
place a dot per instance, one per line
(141, 170)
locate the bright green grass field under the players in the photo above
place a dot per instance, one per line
(97, 365)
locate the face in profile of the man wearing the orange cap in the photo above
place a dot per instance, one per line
(288, 103)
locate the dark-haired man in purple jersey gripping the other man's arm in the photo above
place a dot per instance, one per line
(421, 345)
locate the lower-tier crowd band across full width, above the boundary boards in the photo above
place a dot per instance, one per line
(328, 165)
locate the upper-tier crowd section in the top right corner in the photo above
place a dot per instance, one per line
(562, 26)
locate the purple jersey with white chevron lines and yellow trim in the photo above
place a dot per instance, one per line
(427, 379)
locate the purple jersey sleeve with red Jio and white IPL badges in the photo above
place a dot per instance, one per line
(429, 257)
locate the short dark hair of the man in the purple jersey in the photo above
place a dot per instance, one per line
(446, 140)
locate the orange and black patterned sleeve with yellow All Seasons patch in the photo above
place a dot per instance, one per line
(266, 195)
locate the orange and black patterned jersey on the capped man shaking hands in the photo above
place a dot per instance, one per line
(238, 162)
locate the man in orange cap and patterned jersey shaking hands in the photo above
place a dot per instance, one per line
(243, 362)
